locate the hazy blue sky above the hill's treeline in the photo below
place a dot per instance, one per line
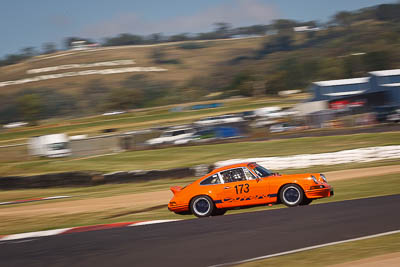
(26, 23)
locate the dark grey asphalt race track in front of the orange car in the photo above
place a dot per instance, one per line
(209, 241)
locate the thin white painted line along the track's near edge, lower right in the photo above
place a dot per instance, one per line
(305, 249)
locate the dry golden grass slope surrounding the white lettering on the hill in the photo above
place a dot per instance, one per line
(190, 63)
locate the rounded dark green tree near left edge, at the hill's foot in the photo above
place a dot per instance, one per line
(30, 107)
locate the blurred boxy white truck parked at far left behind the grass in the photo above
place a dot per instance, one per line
(52, 146)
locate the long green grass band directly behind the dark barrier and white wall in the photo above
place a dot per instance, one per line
(206, 154)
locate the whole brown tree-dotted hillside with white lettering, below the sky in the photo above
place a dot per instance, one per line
(86, 82)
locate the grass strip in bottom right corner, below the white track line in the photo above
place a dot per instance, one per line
(335, 254)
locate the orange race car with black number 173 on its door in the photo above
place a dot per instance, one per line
(246, 184)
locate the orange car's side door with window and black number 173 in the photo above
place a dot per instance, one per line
(241, 190)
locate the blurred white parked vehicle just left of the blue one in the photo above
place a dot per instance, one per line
(173, 136)
